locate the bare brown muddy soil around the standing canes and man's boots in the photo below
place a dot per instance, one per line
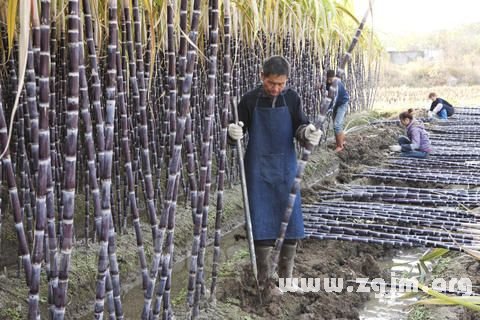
(236, 295)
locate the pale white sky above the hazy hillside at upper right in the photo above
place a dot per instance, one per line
(418, 16)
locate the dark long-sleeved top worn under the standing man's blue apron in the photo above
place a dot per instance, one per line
(293, 101)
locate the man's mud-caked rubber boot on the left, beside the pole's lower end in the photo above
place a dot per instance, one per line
(264, 268)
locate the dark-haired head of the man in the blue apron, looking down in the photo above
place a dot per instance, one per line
(275, 72)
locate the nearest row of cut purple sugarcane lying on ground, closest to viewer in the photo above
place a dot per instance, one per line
(417, 225)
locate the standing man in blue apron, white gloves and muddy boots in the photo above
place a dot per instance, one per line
(272, 115)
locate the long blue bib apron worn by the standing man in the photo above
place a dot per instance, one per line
(270, 168)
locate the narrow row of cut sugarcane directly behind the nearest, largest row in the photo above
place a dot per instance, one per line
(416, 196)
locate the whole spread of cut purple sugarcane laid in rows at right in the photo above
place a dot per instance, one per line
(411, 216)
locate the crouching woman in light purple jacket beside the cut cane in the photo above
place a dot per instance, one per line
(416, 144)
